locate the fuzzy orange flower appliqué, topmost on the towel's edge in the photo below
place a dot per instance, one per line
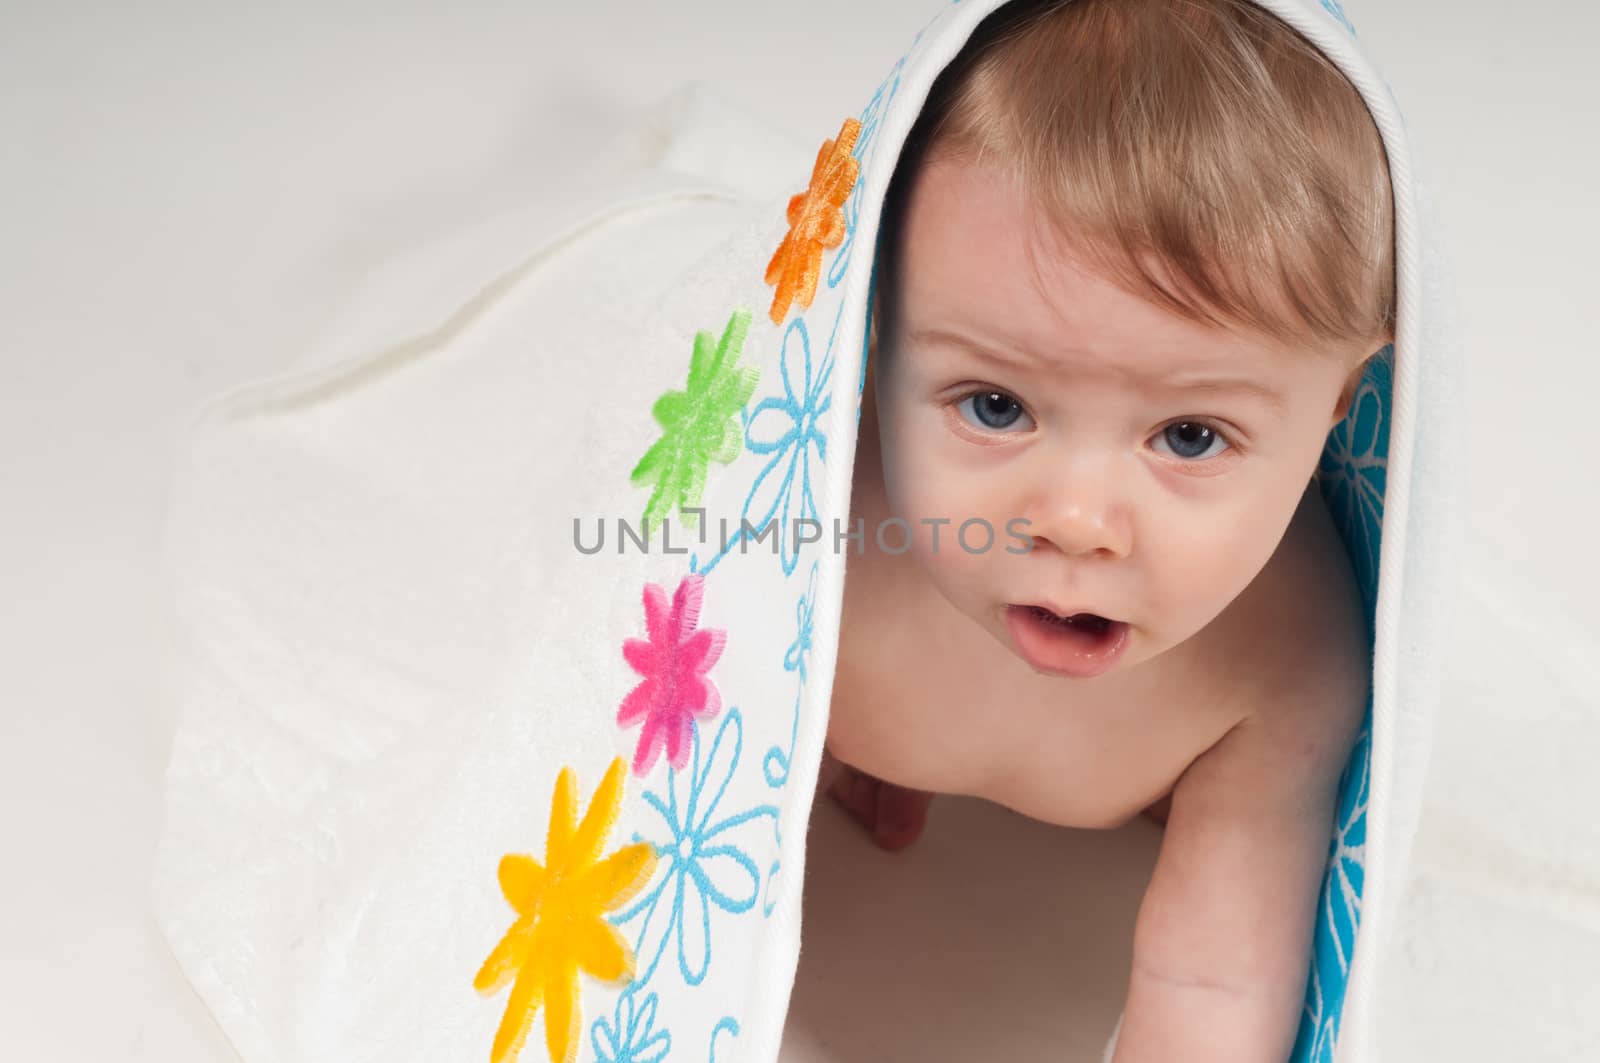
(817, 222)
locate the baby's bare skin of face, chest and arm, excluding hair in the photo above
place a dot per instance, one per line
(1164, 475)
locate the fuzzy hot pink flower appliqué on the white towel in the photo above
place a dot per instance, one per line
(674, 662)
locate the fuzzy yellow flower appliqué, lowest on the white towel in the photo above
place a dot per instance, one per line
(561, 920)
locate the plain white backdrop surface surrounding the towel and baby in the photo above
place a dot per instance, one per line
(191, 193)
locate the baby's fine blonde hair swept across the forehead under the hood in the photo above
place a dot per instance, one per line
(1201, 153)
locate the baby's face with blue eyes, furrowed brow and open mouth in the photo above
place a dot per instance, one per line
(1156, 462)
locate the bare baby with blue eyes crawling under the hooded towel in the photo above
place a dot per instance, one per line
(1135, 259)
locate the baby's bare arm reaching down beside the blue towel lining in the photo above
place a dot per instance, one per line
(1223, 941)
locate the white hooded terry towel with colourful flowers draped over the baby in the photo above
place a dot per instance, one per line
(388, 649)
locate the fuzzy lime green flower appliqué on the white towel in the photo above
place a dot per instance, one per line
(698, 425)
